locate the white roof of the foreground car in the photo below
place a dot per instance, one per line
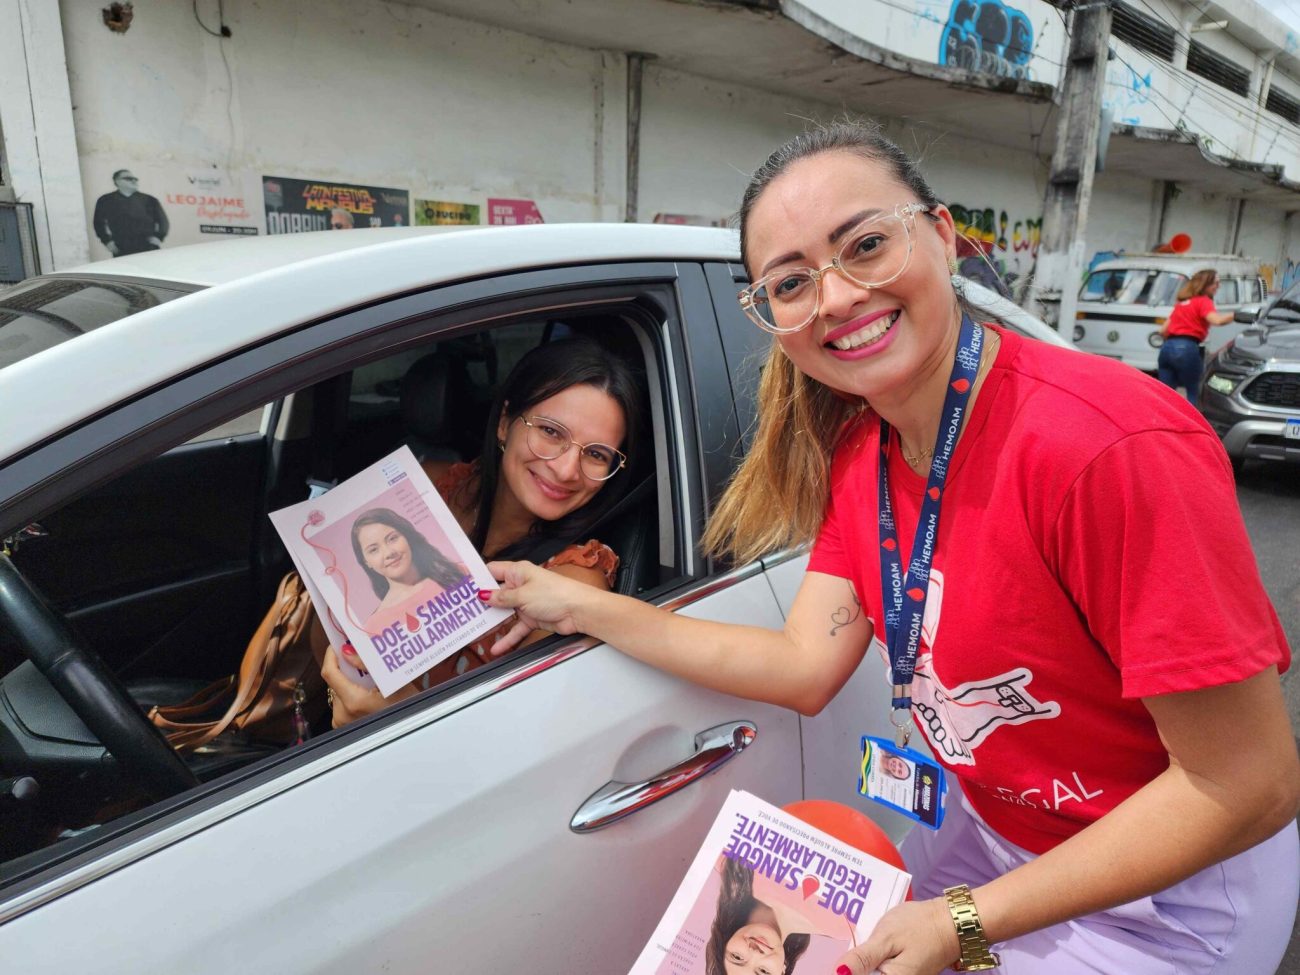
(255, 289)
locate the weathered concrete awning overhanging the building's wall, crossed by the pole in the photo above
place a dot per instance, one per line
(783, 47)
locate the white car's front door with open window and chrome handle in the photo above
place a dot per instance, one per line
(439, 835)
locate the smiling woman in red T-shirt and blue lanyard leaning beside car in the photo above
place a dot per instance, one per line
(1084, 640)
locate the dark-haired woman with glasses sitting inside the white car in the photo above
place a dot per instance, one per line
(561, 431)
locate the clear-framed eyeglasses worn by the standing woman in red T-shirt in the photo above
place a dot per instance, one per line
(876, 253)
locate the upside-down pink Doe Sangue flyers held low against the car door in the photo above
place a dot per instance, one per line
(769, 892)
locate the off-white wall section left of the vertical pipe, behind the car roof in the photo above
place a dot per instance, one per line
(365, 92)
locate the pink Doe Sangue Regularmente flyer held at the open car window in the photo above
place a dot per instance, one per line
(396, 571)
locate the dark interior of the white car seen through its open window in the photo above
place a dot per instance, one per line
(166, 571)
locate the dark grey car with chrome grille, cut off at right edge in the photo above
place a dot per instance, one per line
(1251, 389)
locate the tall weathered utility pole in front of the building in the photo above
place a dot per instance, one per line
(1074, 159)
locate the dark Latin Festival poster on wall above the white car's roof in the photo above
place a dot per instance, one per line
(294, 206)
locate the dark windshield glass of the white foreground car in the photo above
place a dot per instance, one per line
(40, 314)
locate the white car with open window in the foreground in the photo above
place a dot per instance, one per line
(532, 816)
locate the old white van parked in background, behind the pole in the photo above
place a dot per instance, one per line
(1125, 301)
